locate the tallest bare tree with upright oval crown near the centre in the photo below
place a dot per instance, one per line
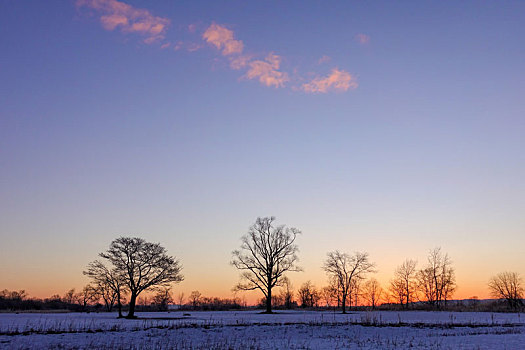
(267, 253)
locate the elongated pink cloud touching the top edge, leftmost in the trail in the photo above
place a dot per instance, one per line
(117, 14)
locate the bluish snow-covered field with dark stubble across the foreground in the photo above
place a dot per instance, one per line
(251, 330)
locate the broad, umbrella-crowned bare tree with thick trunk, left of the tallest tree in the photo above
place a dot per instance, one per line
(142, 266)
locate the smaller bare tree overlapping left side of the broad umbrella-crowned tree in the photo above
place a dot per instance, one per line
(110, 282)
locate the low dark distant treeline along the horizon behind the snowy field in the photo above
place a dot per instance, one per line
(19, 301)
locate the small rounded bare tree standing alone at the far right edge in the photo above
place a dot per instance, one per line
(508, 286)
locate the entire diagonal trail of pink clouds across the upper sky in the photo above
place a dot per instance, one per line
(118, 15)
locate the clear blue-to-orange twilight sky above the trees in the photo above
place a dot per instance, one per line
(383, 127)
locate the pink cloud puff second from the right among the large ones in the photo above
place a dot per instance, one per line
(267, 71)
